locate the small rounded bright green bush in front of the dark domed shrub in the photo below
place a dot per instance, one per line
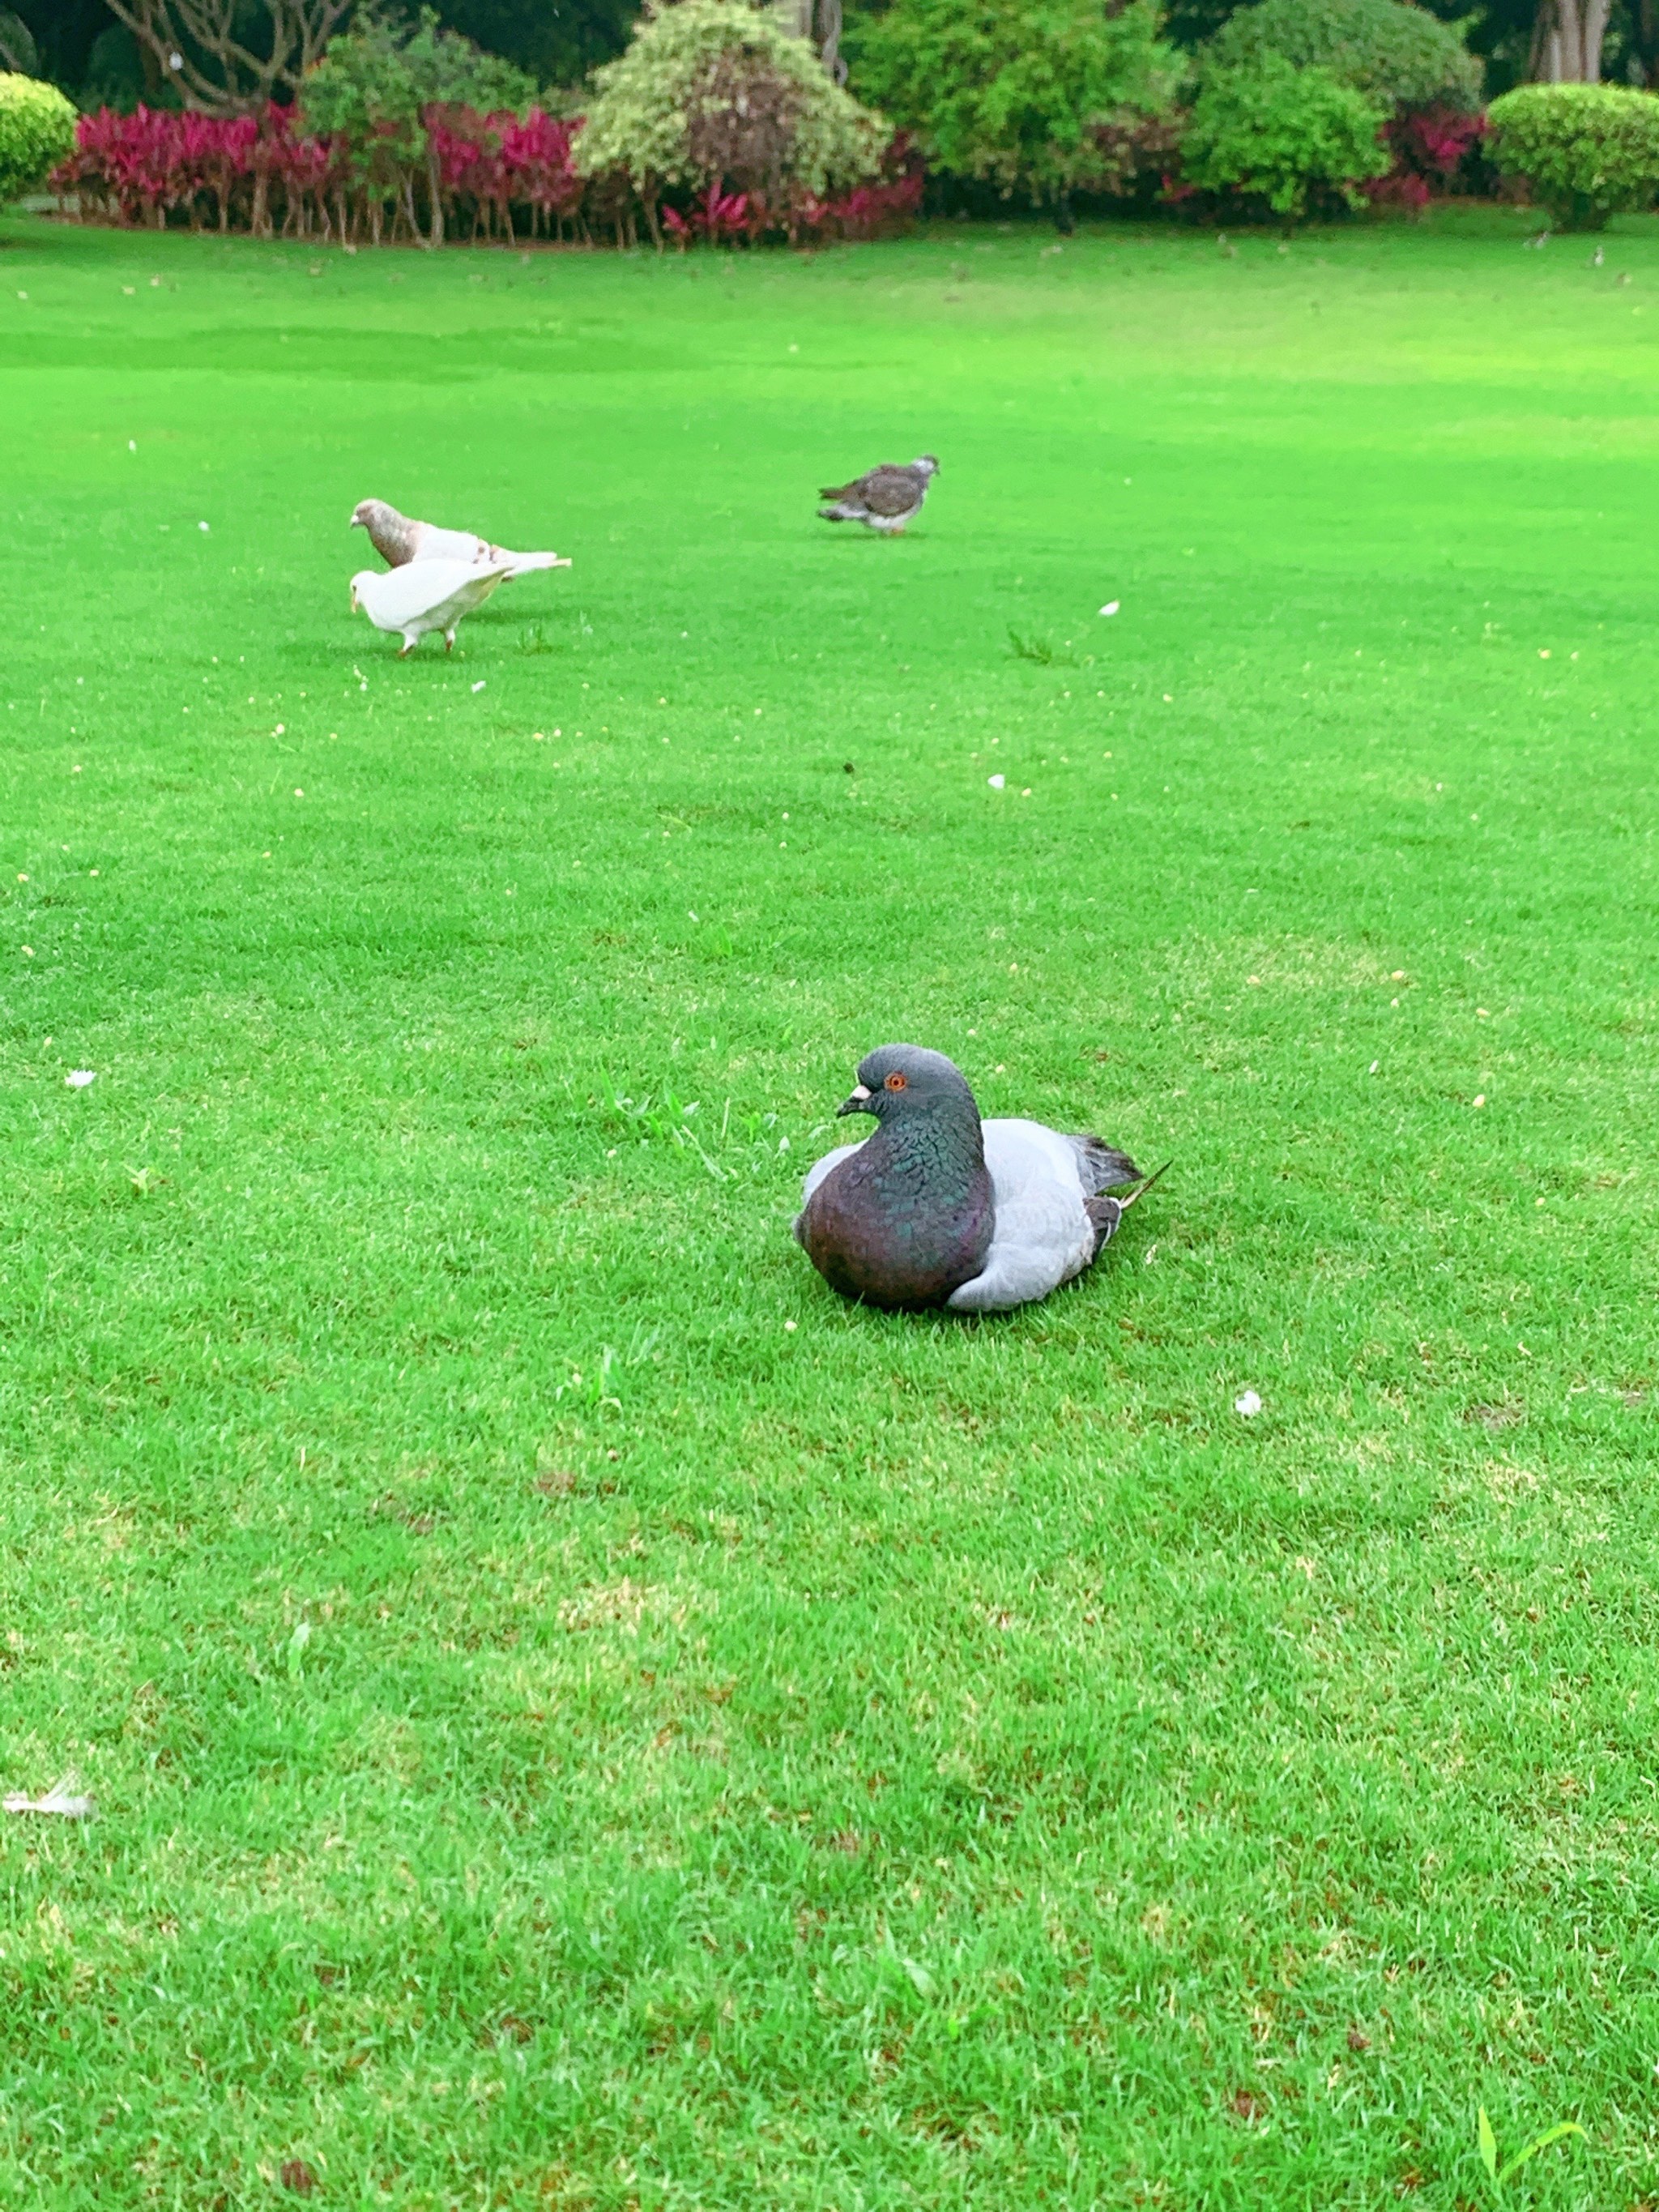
(1282, 136)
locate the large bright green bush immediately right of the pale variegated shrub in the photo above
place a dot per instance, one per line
(1034, 98)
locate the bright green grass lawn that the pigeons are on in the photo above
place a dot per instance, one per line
(578, 1715)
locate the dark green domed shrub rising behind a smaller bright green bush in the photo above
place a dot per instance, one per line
(1399, 56)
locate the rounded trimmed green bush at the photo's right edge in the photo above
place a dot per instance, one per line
(1587, 152)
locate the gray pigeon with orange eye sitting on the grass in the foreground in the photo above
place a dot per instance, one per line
(941, 1209)
